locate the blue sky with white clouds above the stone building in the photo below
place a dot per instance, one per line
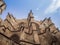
(40, 8)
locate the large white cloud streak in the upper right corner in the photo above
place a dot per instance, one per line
(53, 6)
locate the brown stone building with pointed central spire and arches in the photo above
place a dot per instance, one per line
(28, 31)
